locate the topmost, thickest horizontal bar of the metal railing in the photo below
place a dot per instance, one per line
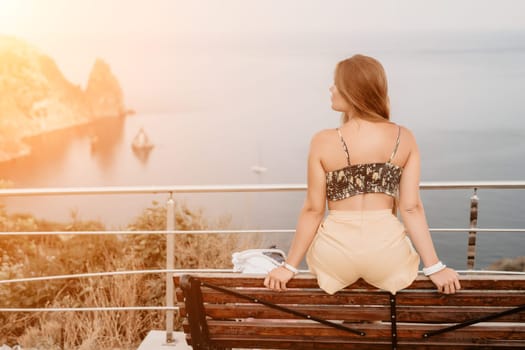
(12, 192)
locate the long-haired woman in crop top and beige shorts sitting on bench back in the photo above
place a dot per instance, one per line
(365, 169)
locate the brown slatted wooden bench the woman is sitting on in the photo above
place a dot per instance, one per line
(228, 310)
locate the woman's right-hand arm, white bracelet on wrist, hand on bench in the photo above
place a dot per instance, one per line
(414, 219)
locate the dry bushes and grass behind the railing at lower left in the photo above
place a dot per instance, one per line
(24, 256)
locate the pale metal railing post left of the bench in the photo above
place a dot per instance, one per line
(170, 265)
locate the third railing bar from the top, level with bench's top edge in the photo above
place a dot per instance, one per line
(177, 271)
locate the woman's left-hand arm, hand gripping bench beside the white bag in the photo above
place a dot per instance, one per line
(309, 219)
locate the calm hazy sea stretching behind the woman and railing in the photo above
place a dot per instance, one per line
(214, 108)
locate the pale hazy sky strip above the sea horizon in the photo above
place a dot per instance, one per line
(36, 18)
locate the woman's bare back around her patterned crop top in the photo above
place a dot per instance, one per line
(366, 143)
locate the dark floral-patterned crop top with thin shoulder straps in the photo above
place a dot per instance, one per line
(364, 178)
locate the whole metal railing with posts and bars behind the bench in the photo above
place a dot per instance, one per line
(170, 231)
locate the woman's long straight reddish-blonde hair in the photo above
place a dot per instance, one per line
(361, 81)
